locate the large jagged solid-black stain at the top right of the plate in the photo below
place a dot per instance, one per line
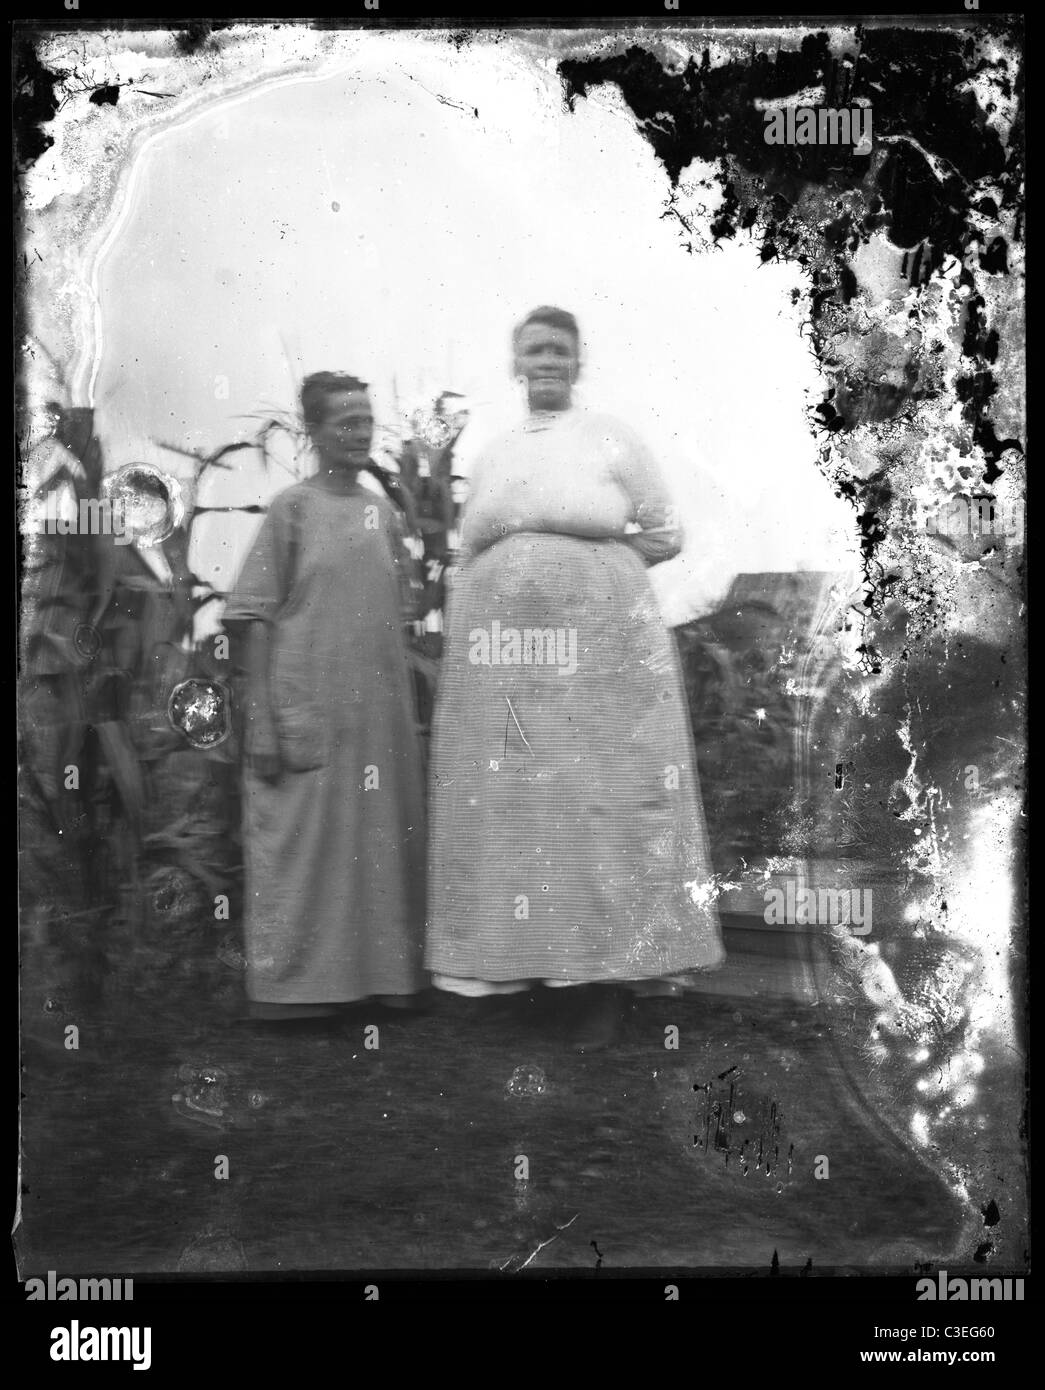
(911, 79)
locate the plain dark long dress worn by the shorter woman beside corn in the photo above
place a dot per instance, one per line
(334, 850)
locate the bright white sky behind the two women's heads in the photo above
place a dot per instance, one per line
(227, 259)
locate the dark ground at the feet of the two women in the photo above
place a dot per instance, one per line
(406, 1156)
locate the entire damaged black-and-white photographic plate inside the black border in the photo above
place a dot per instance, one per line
(522, 648)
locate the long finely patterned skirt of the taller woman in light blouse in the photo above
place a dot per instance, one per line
(568, 835)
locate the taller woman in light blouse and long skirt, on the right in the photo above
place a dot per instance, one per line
(568, 833)
